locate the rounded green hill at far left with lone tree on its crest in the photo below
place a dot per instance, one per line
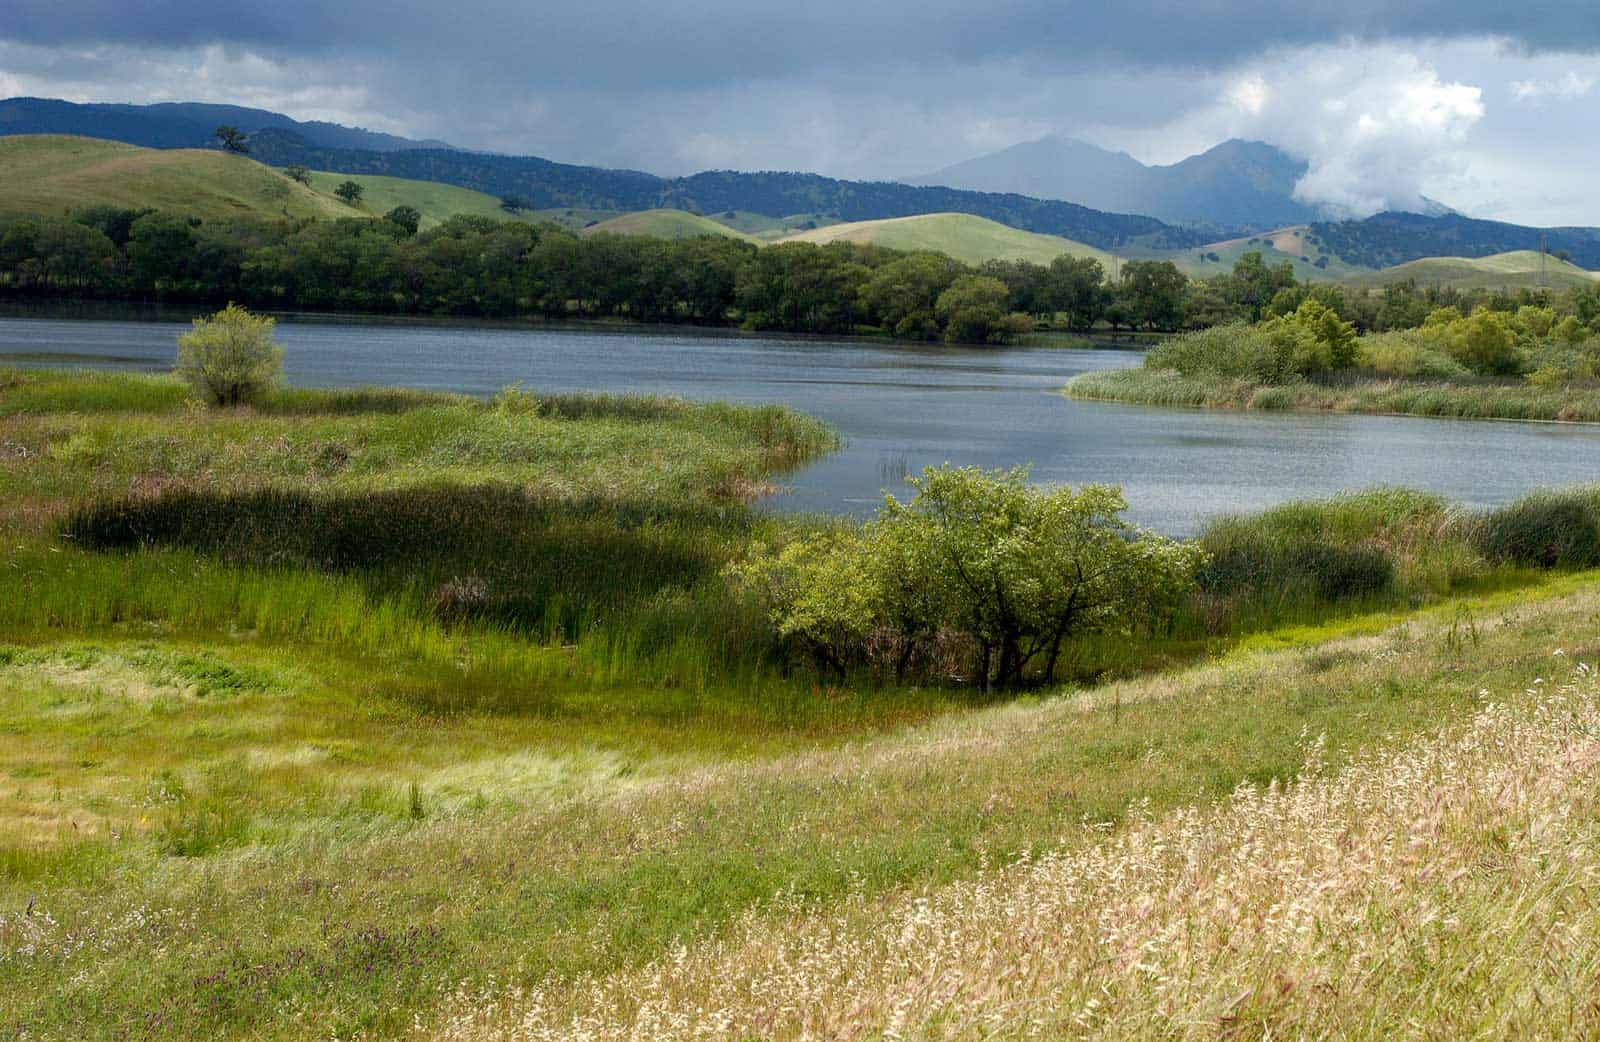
(50, 174)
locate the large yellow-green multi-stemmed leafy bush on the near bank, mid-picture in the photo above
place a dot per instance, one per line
(980, 571)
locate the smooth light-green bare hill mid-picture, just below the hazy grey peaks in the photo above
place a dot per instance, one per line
(962, 236)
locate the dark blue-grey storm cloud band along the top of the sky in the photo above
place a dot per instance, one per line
(626, 46)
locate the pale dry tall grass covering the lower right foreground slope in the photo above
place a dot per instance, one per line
(1449, 889)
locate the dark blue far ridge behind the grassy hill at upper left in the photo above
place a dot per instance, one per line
(183, 126)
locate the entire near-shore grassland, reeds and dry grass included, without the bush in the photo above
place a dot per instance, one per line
(385, 715)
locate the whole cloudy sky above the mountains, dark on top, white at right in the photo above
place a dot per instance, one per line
(1489, 106)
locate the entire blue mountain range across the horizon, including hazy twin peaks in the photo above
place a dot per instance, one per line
(1233, 191)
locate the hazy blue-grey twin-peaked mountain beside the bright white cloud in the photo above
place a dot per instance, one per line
(1244, 185)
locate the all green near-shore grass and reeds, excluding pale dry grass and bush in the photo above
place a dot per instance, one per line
(335, 713)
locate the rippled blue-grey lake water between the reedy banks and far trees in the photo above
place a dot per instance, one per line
(905, 407)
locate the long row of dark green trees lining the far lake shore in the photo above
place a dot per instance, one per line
(479, 267)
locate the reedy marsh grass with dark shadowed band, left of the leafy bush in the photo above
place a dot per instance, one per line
(574, 540)
